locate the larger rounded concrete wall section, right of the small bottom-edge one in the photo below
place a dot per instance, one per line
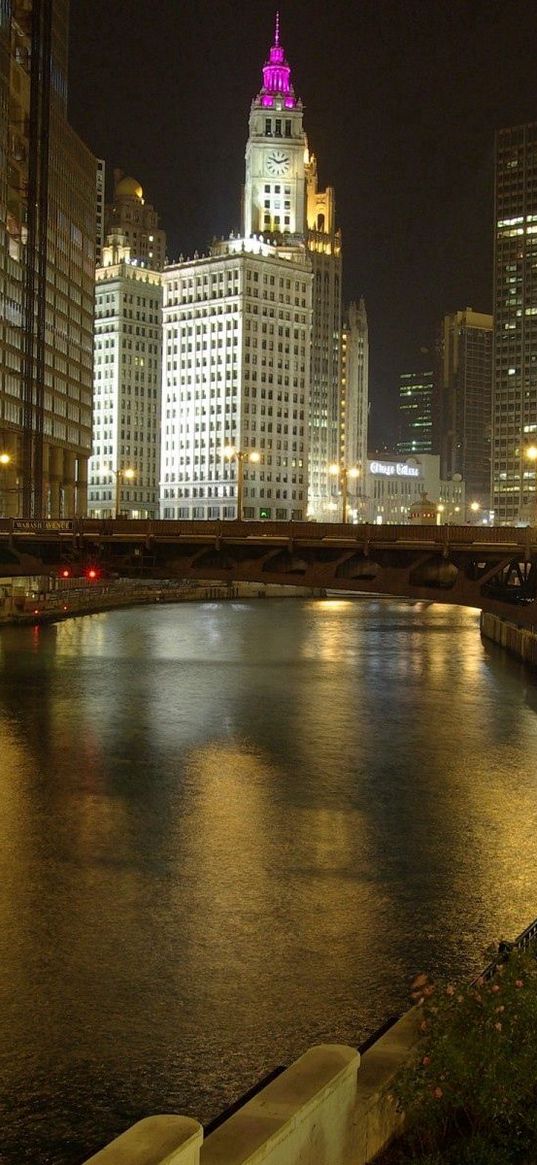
(306, 1115)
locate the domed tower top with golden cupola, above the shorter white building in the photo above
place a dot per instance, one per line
(138, 221)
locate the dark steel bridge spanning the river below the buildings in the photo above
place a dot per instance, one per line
(494, 569)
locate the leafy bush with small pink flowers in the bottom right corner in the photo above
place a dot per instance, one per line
(471, 1097)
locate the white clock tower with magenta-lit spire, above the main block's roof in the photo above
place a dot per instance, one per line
(275, 153)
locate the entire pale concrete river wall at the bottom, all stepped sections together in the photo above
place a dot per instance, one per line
(331, 1107)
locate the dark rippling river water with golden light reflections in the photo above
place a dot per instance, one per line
(231, 832)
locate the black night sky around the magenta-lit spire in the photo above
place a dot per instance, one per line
(402, 98)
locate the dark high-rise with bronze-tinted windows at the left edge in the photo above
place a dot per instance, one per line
(47, 270)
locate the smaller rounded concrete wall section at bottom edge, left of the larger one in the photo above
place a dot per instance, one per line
(154, 1141)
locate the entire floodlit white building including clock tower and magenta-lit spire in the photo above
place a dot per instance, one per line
(238, 337)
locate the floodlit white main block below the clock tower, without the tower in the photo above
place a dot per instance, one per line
(237, 377)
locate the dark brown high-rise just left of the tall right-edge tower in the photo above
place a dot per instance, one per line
(465, 378)
